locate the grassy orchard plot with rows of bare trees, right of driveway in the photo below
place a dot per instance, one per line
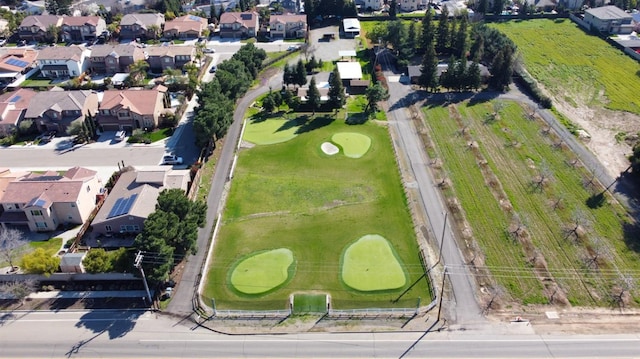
(539, 225)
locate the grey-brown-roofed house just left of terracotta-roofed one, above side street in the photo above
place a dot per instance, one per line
(54, 110)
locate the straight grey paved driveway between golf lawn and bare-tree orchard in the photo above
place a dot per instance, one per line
(464, 309)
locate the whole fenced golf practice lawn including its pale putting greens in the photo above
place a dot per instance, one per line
(308, 214)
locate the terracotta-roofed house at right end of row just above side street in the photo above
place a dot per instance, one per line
(131, 109)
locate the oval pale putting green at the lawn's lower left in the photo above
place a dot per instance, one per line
(263, 271)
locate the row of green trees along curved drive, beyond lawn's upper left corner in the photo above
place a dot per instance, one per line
(216, 99)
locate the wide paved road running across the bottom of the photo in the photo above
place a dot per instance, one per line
(135, 334)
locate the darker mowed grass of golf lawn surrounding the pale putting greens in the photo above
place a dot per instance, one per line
(291, 195)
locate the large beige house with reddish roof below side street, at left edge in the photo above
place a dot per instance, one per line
(45, 201)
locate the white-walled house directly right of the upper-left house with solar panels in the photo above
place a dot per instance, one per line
(63, 61)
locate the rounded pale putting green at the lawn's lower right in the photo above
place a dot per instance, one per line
(370, 264)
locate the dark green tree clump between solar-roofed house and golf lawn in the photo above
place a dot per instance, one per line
(170, 232)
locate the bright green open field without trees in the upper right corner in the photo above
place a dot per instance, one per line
(575, 66)
